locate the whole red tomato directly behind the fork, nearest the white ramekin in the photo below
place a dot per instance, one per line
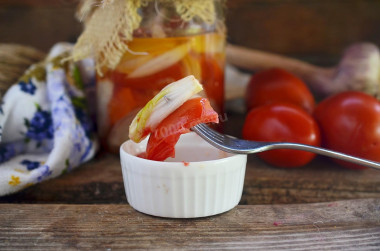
(281, 122)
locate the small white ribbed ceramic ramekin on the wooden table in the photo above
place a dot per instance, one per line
(200, 181)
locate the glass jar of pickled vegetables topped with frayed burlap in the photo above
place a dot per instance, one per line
(140, 46)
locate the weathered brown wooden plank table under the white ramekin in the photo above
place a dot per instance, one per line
(318, 206)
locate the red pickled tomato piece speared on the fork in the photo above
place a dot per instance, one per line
(163, 139)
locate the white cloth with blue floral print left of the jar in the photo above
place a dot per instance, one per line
(45, 125)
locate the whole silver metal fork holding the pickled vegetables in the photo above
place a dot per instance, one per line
(234, 145)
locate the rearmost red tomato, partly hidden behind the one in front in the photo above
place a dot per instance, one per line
(277, 85)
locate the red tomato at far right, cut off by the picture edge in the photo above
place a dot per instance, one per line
(350, 123)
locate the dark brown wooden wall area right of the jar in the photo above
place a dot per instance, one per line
(312, 30)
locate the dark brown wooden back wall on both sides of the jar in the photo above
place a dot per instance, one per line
(313, 30)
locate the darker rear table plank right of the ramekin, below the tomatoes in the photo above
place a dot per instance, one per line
(319, 181)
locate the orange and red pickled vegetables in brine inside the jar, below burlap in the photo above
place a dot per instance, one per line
(151, 63)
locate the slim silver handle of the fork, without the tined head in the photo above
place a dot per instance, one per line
(323, 151)
